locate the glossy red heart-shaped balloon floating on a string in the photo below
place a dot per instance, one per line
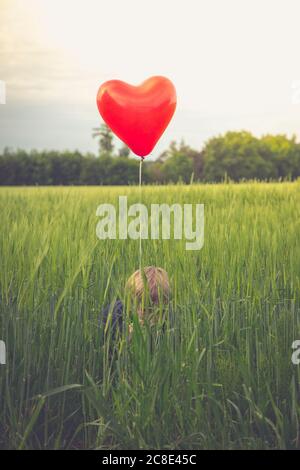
(138, 115)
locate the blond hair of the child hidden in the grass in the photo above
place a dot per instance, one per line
(157, 284)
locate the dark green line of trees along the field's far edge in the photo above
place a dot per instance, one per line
(234, 155)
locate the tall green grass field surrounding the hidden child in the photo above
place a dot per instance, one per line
(221, 378)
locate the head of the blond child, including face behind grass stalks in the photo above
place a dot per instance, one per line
(149, 289)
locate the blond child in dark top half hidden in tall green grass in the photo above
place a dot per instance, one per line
(149, 291)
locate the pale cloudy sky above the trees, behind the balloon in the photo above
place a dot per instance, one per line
(235, 65)
